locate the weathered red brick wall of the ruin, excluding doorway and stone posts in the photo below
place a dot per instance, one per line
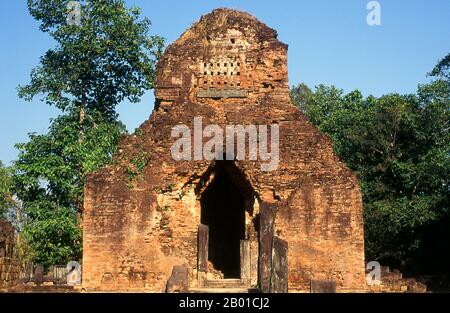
(139, 224)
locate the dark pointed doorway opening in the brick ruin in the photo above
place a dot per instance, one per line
(223, 210)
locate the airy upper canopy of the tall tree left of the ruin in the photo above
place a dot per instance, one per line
(109, 57)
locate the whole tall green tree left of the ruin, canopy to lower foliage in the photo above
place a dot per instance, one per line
(107, 58)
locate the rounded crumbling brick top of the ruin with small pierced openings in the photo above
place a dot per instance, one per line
(226, 55)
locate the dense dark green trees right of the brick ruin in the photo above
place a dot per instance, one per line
(399, 147)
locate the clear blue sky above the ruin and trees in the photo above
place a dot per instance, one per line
(329, 42)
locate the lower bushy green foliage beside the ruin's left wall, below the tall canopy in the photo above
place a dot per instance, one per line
(50, 185)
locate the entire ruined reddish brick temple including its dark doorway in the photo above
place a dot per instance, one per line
(226, 222)
